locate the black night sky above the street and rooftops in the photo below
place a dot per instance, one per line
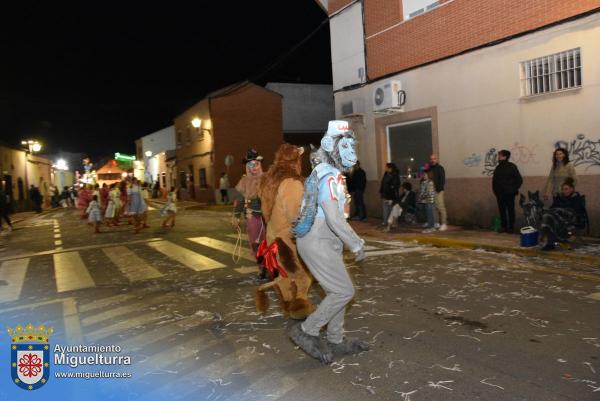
(93, 76)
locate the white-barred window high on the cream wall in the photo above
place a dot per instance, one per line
(557, 72)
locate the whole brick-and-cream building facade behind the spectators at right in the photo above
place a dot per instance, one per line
(476, 77)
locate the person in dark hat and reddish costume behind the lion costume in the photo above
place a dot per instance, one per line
(249, 205)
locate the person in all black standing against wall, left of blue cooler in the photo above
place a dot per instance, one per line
(506, 183)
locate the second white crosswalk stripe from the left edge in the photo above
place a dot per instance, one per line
(70, 272)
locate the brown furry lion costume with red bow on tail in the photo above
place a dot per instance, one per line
(281, 189)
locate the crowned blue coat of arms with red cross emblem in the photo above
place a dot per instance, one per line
(30, 355)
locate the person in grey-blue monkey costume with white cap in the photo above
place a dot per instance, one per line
(321, 232)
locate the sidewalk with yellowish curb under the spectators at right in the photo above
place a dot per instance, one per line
(458, 237)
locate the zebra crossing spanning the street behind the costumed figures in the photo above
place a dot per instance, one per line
(72, 273)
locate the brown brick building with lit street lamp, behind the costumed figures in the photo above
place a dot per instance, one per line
(230, 121)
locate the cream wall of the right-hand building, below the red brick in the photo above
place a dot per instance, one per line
(479, 106)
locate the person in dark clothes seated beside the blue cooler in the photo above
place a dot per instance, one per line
(566, 214)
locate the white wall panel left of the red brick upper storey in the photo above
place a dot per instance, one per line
(347, 47)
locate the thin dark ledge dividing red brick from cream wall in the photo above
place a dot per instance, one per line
(483, 46)
